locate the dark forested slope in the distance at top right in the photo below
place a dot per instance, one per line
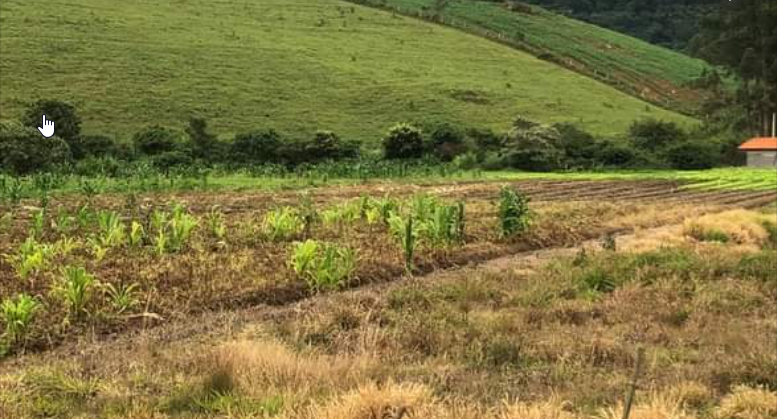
(670, 23)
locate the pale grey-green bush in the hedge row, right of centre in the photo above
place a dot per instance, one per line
(532, 147)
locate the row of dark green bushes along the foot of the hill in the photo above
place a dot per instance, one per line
(528, 145)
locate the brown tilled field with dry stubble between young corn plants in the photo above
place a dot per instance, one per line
(243, 267)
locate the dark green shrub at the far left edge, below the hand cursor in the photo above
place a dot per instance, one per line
(23, 150)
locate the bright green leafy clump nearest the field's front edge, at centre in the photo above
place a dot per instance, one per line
(324, 266)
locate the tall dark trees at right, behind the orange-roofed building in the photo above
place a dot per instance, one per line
(742, 37)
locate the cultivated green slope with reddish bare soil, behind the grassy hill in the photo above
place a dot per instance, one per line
(654, 73)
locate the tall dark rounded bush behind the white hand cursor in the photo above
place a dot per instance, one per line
(67, 123)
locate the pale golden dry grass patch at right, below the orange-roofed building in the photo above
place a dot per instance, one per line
(739, 226)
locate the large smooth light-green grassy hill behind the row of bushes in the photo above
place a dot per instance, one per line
(293, 65)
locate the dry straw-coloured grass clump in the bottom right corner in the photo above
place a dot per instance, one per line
(748, 403)
